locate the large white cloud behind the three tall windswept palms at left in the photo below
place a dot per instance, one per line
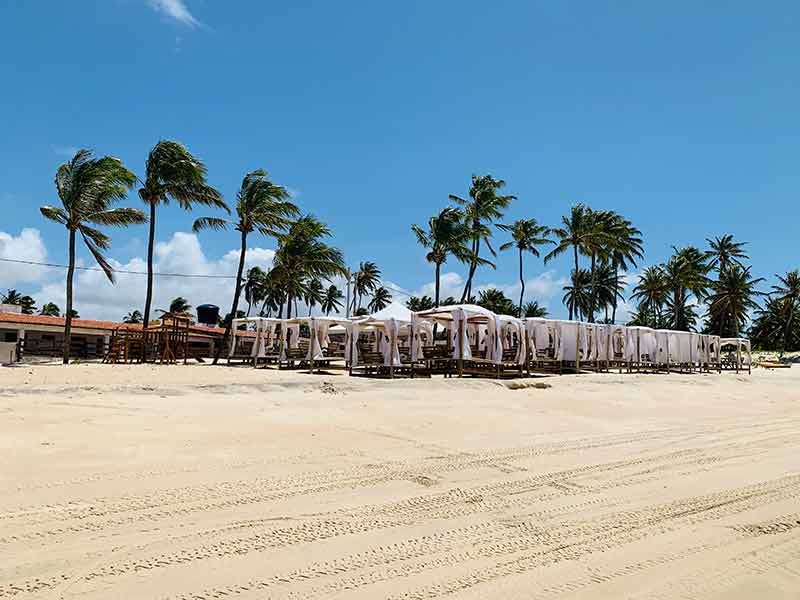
(96, 297)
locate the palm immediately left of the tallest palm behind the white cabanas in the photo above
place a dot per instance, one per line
(446, 234)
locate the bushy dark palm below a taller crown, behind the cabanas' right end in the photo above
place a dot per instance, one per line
(731, 298)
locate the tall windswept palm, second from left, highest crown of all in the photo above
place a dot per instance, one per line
(172, 173)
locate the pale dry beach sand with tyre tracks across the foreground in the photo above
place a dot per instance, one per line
(201, 482)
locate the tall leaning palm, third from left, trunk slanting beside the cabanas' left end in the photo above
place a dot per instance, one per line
(260, 205)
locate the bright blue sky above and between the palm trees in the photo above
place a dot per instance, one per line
(682, 116)
